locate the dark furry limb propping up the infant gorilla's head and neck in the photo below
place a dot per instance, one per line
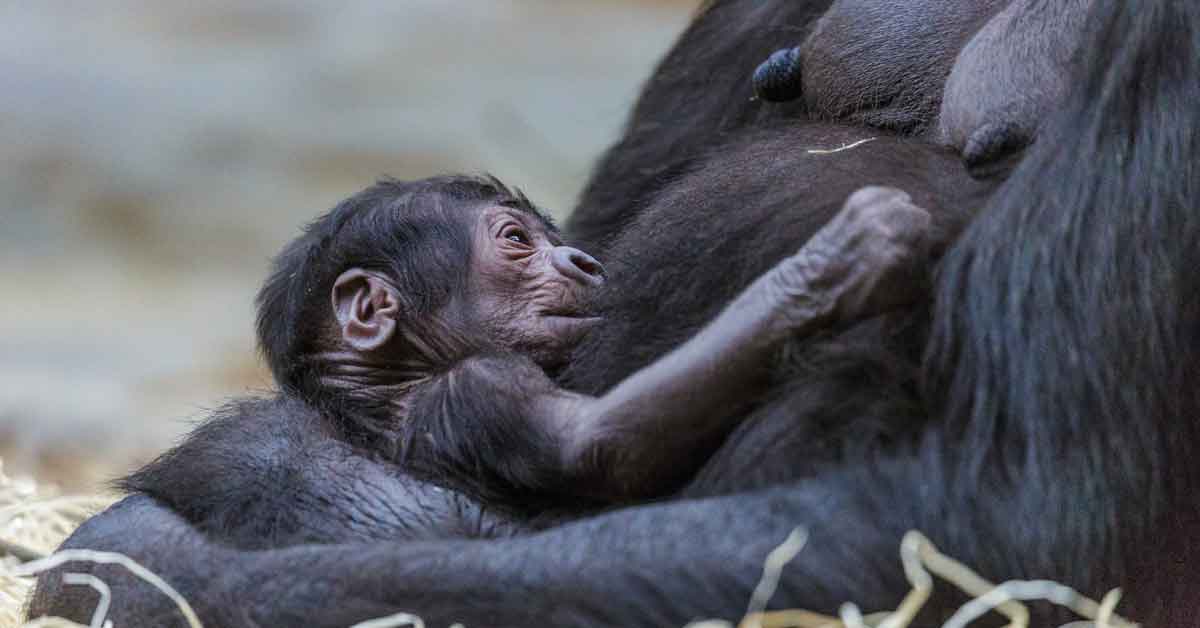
(269, 473)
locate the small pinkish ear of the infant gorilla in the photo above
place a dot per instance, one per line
(367, 307)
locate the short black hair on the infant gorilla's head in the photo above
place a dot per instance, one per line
(416, 231)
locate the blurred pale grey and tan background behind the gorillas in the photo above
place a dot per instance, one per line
(154, 155)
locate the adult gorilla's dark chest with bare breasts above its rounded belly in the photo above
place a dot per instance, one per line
(1000, 64)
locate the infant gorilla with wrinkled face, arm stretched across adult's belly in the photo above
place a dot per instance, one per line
(433, 310)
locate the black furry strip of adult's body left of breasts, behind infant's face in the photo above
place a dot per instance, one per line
(699, 97)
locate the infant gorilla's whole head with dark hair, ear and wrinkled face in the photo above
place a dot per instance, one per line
(405, 278)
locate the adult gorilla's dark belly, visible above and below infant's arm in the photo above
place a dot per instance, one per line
(715, 230)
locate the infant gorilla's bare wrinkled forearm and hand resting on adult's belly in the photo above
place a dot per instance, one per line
(645, 438)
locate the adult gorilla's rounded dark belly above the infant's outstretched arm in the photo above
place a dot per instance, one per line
(746, 205)
